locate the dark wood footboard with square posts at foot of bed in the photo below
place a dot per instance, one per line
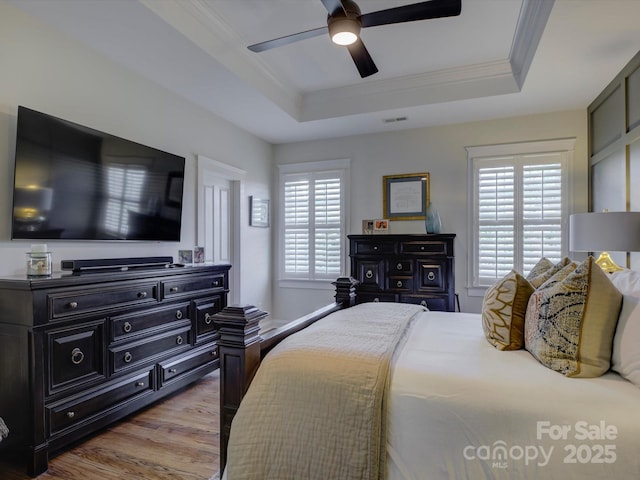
(242, 348)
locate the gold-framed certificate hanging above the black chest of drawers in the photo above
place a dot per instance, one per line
(405, 197)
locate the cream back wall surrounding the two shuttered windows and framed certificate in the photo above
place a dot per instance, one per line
(441, 152)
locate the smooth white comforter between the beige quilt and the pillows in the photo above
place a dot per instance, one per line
(459, 409)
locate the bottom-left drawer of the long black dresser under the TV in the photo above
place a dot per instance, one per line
(63, 415)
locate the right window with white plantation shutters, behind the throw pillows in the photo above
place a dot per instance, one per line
(519, 209)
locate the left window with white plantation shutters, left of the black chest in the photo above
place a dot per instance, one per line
(313, 219)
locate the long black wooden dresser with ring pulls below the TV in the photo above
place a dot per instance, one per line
(78, 352)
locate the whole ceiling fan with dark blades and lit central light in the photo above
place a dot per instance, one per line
(345, 20)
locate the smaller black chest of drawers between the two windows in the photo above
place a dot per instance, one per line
(404, 268)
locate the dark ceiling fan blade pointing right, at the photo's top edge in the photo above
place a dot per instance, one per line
(412, 13)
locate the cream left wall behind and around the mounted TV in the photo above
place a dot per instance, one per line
(45, 70)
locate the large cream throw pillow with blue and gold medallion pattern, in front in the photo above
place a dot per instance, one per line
(569, 326)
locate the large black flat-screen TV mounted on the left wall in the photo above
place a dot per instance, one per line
(76, 183)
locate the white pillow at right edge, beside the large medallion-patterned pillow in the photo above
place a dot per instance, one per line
(625, 358)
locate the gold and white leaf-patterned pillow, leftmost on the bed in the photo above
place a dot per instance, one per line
(503, 310)
